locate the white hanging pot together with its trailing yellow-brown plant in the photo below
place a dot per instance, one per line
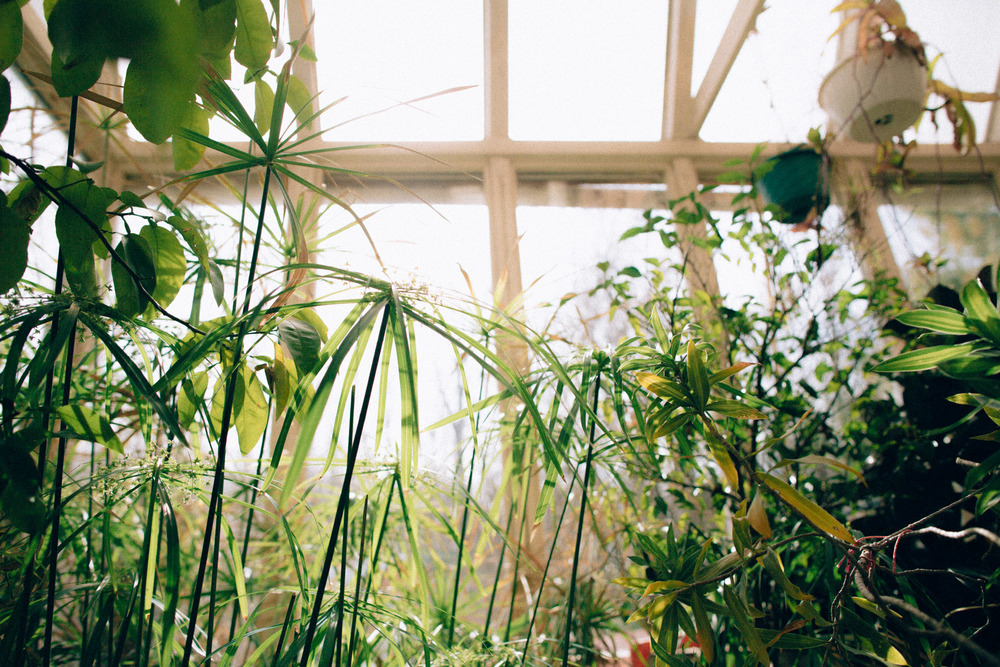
(883, 87)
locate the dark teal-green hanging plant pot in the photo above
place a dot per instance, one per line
(797, 182)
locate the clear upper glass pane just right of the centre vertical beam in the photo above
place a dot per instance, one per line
(586, 70)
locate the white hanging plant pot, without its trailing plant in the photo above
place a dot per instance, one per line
(876, 96)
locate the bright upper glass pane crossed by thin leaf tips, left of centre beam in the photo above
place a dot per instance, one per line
(384, 54)
